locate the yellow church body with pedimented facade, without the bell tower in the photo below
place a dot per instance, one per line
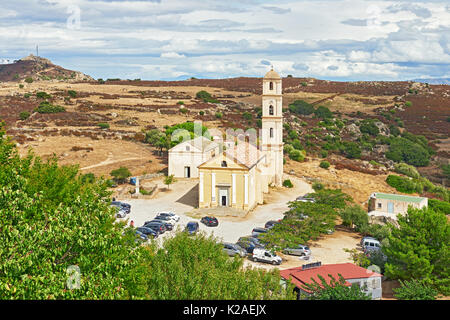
(233, 179)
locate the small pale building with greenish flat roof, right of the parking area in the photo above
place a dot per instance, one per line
(390, 205)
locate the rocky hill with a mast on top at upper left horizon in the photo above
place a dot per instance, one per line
(38, 68)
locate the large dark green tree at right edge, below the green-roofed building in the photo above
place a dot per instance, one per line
(419, 248)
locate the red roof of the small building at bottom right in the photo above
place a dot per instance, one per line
(348, 270)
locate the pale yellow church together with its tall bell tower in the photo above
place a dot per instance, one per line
(238, 176)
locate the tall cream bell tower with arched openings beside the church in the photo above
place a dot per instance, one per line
(272, 125)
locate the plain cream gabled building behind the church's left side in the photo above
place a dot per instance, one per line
(185, 157)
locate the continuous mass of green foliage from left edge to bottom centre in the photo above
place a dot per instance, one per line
(52, 218)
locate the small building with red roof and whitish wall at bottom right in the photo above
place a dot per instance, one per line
(353, 274)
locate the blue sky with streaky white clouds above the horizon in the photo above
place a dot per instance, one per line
(344, 40)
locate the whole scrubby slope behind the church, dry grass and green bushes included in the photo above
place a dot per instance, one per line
(347, 138)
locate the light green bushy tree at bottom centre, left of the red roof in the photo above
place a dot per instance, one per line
(195, 267)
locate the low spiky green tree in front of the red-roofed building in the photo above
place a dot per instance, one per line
(334, 290)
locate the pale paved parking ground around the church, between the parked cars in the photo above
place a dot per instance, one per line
(182, 197)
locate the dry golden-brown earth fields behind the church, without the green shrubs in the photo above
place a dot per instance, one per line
(129, 107)
